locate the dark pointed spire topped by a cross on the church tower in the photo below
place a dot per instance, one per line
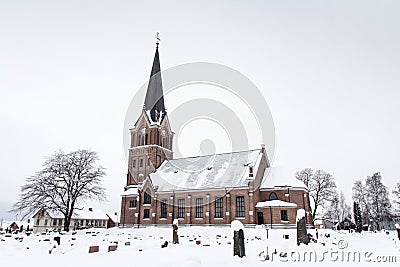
(154, 101)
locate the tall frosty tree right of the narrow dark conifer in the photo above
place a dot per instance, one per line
(377, 198)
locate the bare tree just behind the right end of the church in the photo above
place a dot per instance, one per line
(321, 187)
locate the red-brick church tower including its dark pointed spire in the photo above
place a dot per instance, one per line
(151, 136)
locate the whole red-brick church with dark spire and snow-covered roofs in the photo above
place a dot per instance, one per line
(204, 190)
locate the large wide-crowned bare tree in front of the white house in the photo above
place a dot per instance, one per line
(63, 183)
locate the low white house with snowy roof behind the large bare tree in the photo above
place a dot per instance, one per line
(45, 220)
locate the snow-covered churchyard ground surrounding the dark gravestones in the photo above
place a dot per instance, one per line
(139, 247)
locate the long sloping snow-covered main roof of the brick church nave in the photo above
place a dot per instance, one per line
(207, 172)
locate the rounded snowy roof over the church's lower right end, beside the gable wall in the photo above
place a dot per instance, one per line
(278, 177)
